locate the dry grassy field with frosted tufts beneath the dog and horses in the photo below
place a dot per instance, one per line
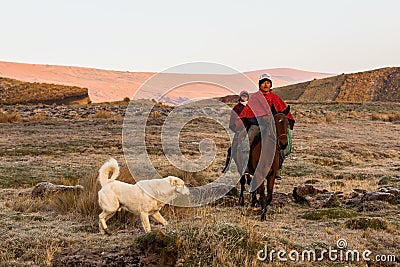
(337, 147)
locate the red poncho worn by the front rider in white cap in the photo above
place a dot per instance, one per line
(259, 105)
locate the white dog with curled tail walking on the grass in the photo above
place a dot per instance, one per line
(116, 195)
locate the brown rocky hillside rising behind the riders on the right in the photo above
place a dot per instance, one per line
(375, 85)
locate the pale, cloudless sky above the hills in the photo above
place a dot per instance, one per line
(325, 36)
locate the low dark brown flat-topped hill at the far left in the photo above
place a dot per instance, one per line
(18, 92)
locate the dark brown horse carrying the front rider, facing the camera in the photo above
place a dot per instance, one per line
(281, 124)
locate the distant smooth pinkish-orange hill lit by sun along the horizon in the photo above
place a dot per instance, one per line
(107, 85)
